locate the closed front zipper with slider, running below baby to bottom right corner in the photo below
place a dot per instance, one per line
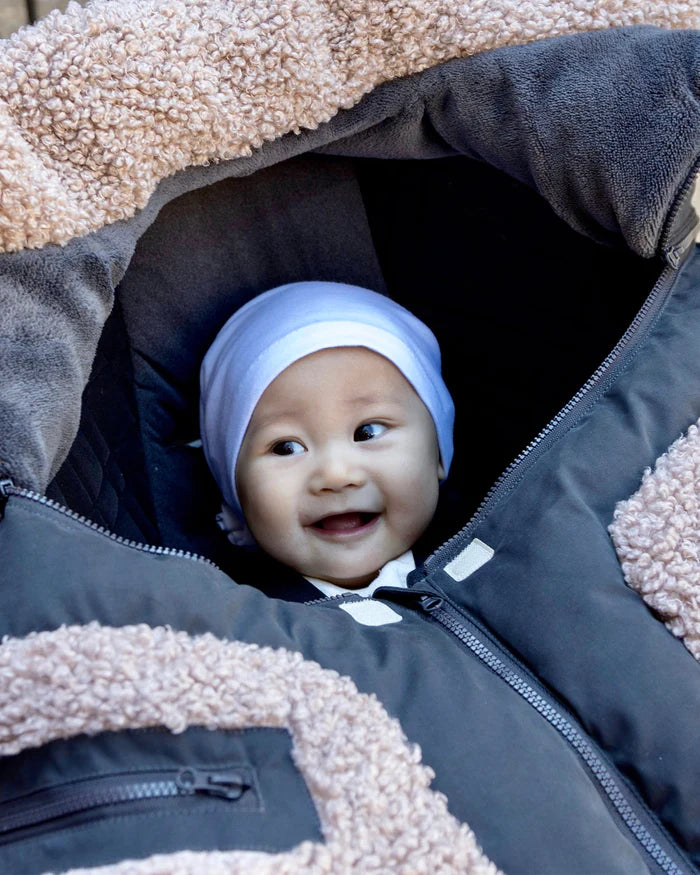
(495, 658)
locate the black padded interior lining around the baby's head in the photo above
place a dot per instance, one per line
(524, 308)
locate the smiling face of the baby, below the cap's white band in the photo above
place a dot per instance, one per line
(339, 469)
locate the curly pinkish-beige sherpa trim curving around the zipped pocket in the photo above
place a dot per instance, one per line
(371, 792)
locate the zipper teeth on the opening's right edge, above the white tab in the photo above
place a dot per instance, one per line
(592, 381)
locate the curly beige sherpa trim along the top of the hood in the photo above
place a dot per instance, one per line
(101, 103)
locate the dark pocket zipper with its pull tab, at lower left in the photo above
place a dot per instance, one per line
(79, 796)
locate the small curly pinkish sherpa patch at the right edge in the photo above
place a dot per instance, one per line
(657, 536)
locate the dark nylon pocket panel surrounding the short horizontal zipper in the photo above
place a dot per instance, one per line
(274, 816)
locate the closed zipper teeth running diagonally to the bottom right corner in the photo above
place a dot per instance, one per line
(565, 728)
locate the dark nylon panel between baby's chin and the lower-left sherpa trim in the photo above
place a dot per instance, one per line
(504, 770)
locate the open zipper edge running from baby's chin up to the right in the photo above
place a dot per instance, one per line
(562, 422)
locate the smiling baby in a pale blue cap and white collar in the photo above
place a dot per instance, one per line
(328, 428)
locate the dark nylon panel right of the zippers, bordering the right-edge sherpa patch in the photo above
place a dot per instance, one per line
(554, 589)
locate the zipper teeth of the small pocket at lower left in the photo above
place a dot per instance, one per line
(90, 799)
